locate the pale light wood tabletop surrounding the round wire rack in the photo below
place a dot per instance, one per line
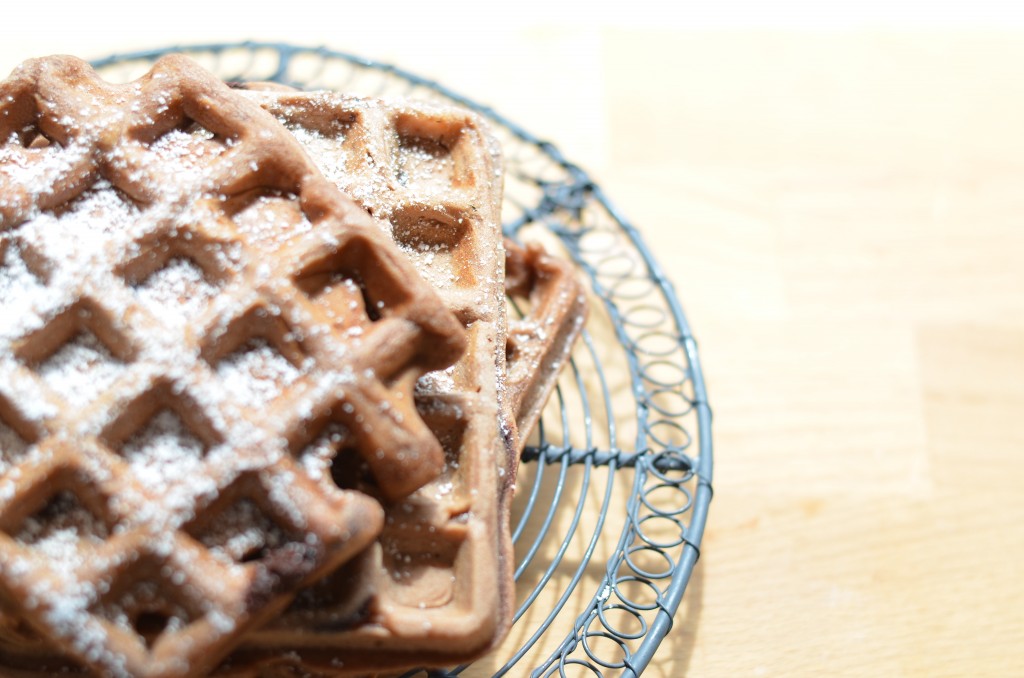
(843, 217)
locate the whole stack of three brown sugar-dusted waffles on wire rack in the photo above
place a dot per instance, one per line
(261, 402)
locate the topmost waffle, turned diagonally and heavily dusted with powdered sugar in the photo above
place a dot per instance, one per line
(191, 319)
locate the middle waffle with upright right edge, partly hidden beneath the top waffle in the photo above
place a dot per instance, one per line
(437, 587)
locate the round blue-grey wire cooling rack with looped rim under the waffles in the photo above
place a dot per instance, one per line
(614, 495)
